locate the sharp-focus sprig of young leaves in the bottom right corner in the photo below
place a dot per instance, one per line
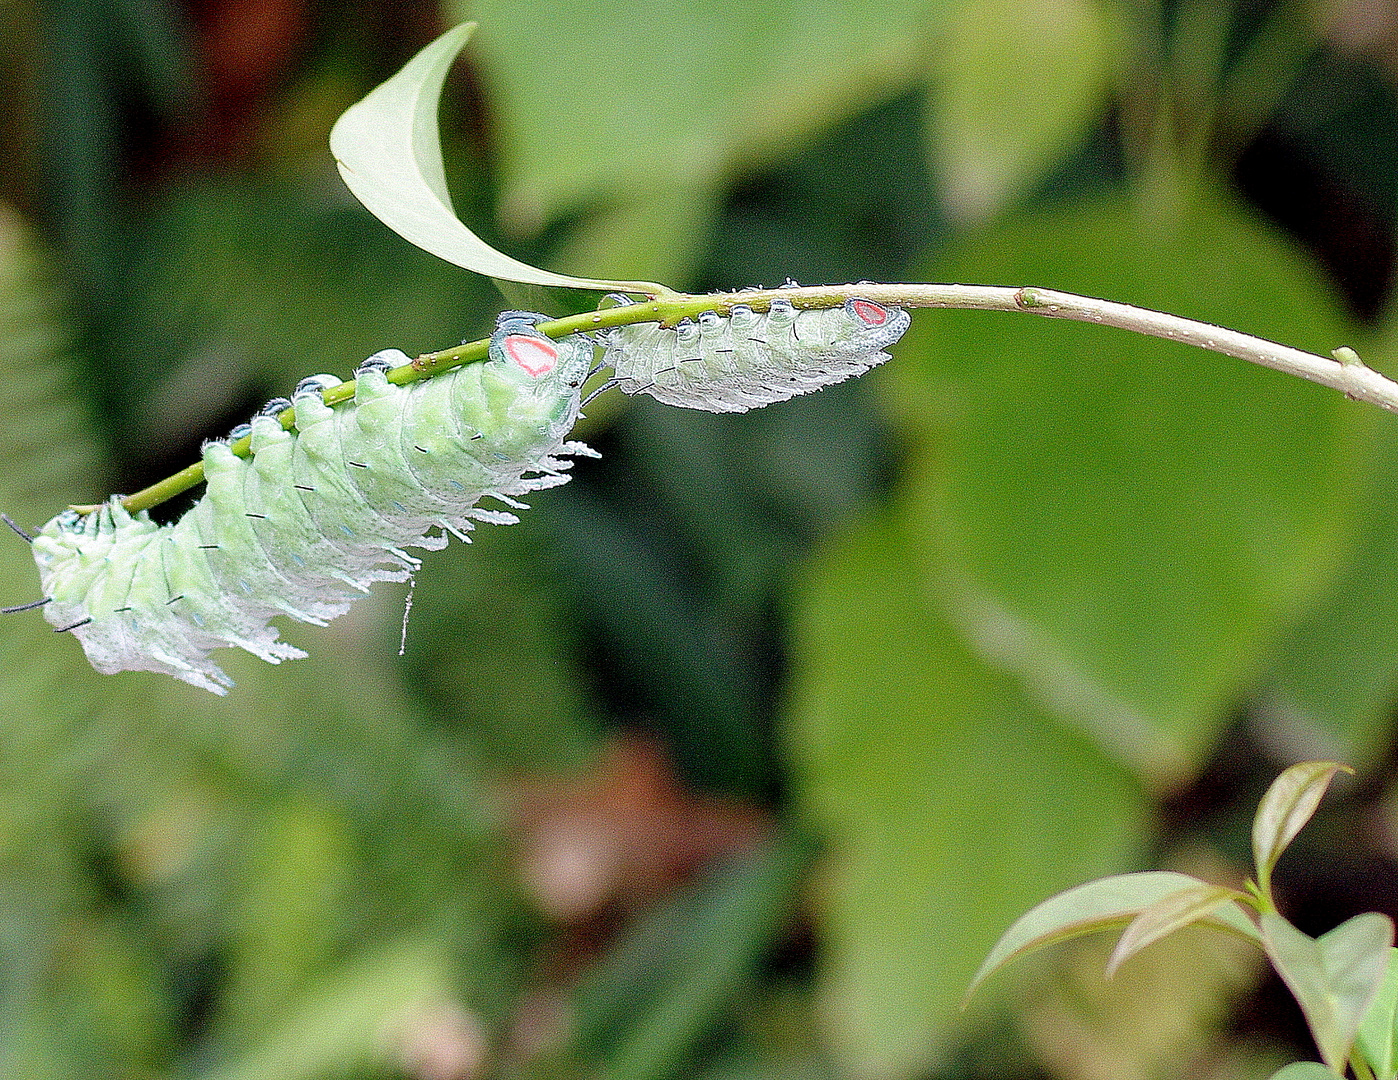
(1344, 980)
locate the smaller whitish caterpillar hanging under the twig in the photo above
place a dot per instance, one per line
(747, 360)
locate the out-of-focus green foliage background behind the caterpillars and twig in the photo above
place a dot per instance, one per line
(1034, 603)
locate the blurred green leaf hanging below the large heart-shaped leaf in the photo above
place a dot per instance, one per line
(949, 801)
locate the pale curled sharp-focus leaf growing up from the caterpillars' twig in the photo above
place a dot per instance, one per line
(391, 159)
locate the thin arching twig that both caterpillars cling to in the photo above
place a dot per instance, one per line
(1346, 372)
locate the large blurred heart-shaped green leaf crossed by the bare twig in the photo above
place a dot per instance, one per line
(1126, 523)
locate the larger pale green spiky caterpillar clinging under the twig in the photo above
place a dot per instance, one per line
(319, 512)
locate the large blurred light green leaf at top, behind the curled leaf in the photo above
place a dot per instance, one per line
(600, 111)
